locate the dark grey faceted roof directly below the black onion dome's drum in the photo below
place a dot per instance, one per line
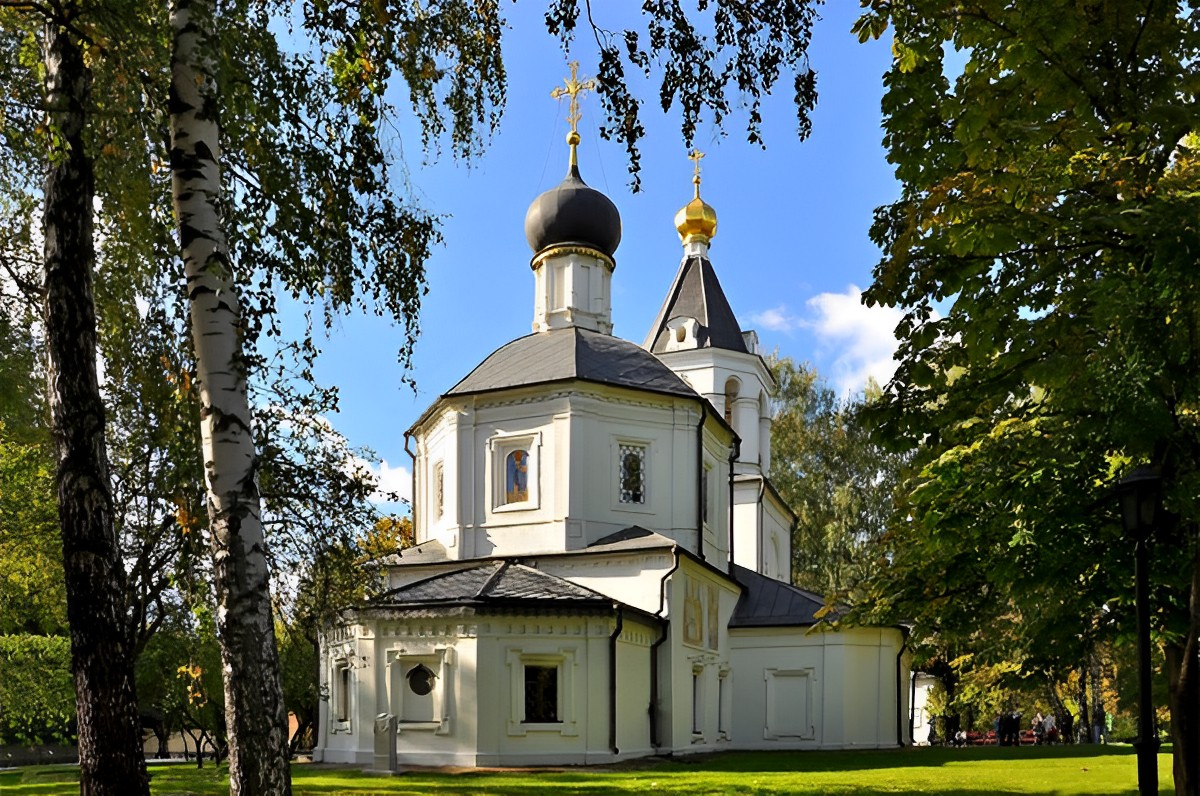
(565, 355)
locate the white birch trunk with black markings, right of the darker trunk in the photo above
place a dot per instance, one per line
(255, 714)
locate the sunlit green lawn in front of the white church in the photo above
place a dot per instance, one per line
(1091, 771)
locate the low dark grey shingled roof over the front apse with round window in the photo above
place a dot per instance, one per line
(497, 583)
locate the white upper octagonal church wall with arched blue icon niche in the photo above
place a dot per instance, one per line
(574, 439)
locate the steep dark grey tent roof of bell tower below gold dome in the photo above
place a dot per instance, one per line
(697, 294)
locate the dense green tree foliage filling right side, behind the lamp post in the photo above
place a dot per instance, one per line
(1045, 253)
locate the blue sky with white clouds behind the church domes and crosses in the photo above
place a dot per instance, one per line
(793, 249)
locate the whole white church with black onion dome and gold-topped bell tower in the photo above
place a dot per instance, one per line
(603, 566)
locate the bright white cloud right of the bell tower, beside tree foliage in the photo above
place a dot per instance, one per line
(860, 338)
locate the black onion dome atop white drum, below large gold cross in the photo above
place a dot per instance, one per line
(573, 214)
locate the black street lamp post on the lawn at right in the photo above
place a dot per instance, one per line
(1139, 508)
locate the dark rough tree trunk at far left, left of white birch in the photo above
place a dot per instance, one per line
(111, 759)
